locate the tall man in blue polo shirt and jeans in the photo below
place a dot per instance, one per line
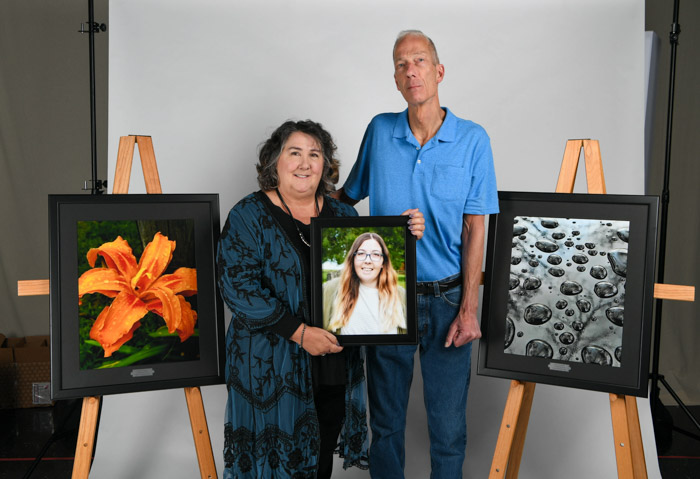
(427, 158)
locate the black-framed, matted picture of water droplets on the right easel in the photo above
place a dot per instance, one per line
(568, 290)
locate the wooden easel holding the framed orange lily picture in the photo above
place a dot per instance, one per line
(91, 405)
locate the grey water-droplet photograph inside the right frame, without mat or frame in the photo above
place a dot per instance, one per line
(567, 289)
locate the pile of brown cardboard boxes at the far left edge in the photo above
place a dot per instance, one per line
(25, 371)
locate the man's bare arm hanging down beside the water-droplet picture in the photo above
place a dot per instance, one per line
(465, 327)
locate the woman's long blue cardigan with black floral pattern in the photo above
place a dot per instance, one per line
(271, 429)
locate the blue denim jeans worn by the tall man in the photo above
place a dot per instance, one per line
(446, 373)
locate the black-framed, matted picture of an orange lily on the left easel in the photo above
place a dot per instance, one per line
(134, 301)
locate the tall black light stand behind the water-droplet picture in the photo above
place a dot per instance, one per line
(663, 423)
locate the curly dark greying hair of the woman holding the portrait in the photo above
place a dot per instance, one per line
(271, 149)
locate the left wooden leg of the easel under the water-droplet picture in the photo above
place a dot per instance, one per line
(511, 437)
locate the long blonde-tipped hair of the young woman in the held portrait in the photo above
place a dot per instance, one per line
(391, 308)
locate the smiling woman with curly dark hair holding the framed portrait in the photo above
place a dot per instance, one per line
(291, 387)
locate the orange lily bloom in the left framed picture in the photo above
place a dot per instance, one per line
(138, 289)
